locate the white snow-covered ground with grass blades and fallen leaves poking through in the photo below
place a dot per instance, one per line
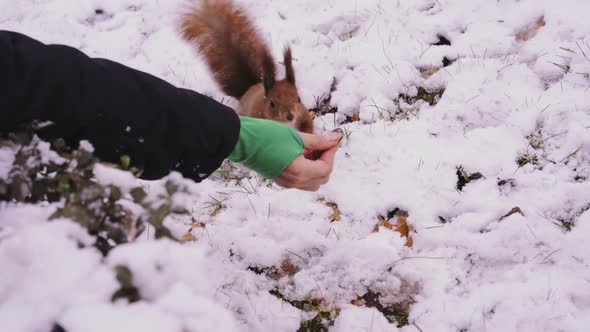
(515, 90)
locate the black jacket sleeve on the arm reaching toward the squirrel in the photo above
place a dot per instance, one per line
(121, 111)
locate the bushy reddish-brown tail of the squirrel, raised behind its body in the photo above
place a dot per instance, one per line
(230, 43)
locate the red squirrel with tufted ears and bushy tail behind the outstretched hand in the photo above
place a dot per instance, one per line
(242, 64)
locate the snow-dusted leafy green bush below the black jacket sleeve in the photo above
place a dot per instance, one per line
(68, 181)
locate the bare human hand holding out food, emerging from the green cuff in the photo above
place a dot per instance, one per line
(312, 169)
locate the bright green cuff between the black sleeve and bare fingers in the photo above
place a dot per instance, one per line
(266, 147)
